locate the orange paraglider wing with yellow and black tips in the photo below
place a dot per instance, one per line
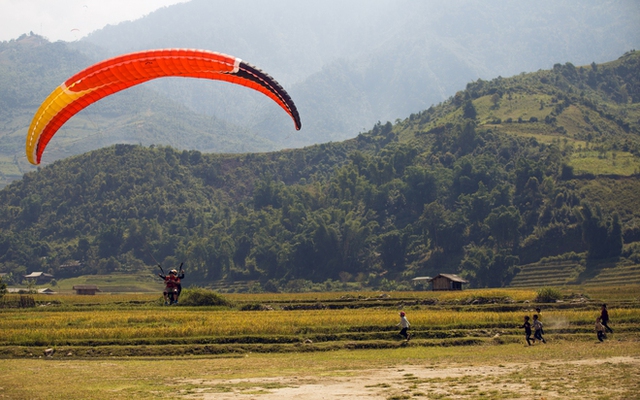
(122, 72)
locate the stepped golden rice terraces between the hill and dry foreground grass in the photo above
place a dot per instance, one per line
(132, 318)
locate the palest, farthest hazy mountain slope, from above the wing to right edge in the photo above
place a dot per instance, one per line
(350, 64)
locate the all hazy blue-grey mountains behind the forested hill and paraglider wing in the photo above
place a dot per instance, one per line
(346, 65)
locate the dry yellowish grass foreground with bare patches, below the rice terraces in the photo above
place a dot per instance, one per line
(559, 370)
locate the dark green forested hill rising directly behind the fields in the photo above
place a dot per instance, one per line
(507, 172)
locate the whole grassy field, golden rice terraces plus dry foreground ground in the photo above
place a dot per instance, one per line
(465, 345)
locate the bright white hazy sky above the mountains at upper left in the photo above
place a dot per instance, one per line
(69, 20)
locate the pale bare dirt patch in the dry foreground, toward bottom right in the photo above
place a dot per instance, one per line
(590, 378)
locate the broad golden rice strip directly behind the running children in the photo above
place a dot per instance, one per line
(55, 327)
